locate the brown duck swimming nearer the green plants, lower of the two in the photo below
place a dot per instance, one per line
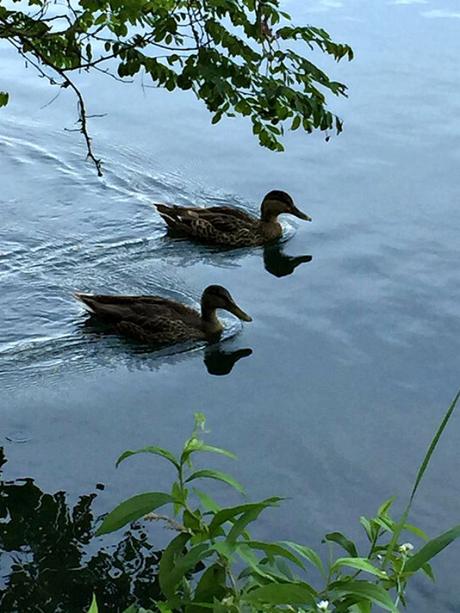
(160, 321)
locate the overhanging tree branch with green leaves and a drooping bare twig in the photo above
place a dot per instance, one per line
(240, 57)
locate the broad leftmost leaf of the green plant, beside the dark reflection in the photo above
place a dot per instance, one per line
(132, 509)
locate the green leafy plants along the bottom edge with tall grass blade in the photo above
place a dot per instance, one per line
(213, 563)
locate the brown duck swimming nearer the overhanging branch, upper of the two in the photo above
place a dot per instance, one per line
(223, 225)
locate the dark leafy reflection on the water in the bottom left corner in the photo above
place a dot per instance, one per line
(49, 562)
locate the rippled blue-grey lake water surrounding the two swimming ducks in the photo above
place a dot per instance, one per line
(351, 359)
